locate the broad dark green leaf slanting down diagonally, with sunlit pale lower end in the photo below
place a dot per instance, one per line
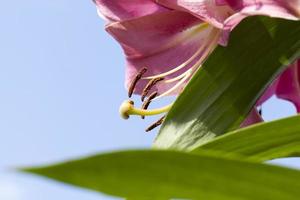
(223, 91)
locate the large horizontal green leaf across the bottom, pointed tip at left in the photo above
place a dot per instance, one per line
(170, 174)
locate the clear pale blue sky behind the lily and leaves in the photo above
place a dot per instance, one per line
(61, 83)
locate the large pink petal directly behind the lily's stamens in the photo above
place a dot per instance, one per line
(159, 42)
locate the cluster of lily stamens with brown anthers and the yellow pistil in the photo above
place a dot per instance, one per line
(127, 107)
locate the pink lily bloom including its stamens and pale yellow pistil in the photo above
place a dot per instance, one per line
(166, 41)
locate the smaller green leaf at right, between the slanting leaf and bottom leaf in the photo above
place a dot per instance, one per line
(260, 142)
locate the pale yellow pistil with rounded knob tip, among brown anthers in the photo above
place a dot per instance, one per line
(127, 108)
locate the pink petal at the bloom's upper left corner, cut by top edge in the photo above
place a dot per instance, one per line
(117, 10)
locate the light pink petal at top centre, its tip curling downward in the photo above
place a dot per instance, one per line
(211, 11)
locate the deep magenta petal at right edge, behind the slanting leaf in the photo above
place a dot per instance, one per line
(289, 85)
